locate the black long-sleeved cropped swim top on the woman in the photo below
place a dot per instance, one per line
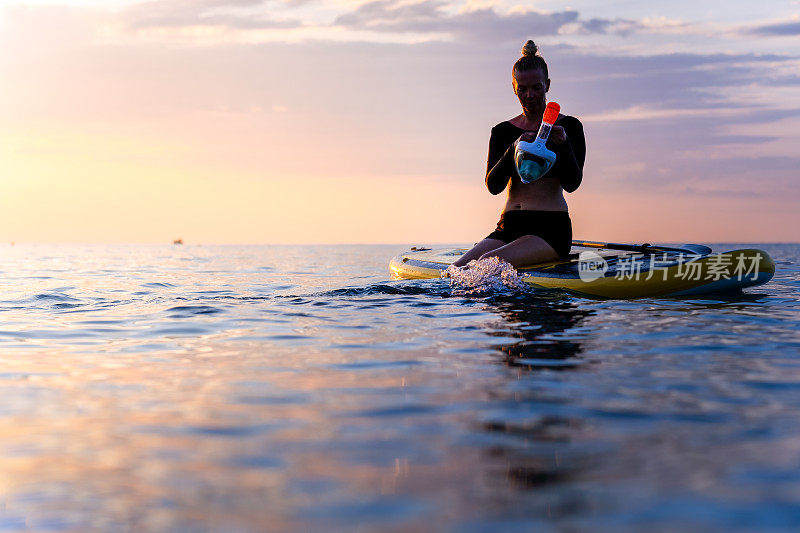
(570, 155)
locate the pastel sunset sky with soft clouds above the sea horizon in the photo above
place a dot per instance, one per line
(340, 121)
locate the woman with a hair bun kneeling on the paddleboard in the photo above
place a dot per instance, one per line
(535, 226)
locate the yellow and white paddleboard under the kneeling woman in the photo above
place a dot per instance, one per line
(687, 270)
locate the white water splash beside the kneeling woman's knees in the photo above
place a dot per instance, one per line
(491, 275)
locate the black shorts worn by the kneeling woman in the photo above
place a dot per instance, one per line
(555, 227)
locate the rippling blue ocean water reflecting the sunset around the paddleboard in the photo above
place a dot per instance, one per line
(296, 388)
